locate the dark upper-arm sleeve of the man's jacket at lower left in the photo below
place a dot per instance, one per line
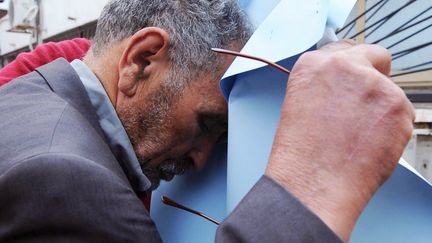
(64, 198)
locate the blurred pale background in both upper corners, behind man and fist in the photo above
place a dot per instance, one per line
(402, 26)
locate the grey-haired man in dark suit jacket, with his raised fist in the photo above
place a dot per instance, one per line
(69, 173)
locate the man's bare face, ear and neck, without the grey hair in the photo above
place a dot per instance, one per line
(172, 121)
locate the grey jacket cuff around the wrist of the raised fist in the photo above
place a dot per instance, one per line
(269, 213)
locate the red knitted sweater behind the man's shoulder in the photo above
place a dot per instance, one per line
(28, 61)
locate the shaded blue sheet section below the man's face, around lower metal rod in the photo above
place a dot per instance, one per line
(204, 191)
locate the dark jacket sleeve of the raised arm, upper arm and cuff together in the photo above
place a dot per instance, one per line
(65, 198)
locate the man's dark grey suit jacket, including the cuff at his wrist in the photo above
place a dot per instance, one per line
(60, 182)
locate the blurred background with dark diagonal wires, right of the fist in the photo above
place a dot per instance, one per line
(404, 27)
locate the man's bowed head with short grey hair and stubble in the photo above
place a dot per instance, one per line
(154, 59)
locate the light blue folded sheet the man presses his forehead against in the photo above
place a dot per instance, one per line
(400, 211)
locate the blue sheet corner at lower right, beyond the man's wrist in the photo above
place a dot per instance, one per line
(400, 212)
